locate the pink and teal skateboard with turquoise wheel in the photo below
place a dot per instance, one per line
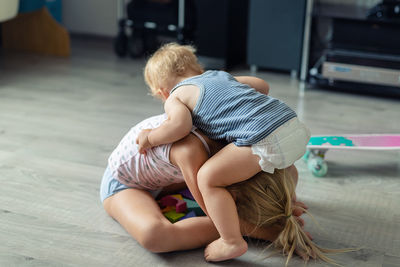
(319, 145)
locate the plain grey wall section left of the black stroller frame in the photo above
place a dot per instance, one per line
(97, 17)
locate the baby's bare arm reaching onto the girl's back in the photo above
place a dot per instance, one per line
(177, 126)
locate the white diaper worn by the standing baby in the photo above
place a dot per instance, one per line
(283, 146)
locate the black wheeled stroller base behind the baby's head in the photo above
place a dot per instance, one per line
(141, 23)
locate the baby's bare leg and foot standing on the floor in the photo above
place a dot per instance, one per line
(230, 165)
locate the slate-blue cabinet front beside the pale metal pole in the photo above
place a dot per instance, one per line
(276, 34)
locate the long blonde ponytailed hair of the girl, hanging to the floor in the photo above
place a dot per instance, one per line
(266, 200)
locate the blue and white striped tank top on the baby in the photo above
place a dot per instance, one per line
(235, 112)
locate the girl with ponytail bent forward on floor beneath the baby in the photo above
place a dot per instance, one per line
(131, 181)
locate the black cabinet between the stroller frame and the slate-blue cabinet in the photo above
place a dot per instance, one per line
(221, 32)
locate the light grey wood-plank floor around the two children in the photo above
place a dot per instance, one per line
(61, 118)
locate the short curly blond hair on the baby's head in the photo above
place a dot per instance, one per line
(169, 61)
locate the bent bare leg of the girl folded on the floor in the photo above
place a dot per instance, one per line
(139, 214)
